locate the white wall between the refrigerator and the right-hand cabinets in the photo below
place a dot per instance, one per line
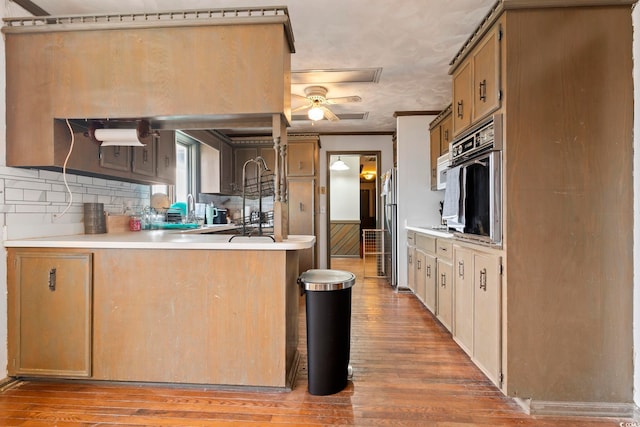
(417, 204)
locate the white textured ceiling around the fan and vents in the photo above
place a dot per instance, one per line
(412, 41)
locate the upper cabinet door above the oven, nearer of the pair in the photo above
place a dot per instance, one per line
(486, 76)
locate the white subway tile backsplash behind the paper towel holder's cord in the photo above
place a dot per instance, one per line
(33, 202)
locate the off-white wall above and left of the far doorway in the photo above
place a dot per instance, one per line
(346, 143)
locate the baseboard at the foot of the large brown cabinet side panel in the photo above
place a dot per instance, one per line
(583, 409)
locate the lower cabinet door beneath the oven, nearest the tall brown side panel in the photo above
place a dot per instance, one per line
(487, 318)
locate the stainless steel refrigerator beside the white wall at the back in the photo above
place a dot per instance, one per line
(390, 225)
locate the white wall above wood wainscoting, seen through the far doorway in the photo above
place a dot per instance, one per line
(345, 190)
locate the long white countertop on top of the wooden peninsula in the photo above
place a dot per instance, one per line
(164, 239)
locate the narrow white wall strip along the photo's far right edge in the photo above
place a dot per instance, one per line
(636, 204)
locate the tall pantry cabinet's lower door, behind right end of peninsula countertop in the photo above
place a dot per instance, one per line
(301, 216)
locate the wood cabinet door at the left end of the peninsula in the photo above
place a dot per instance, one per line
(51, 306)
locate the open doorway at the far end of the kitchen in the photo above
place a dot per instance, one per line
(352, 200)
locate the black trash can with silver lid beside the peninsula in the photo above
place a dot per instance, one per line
(328, 312)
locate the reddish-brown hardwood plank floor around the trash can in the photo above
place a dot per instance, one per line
(407, 372)
